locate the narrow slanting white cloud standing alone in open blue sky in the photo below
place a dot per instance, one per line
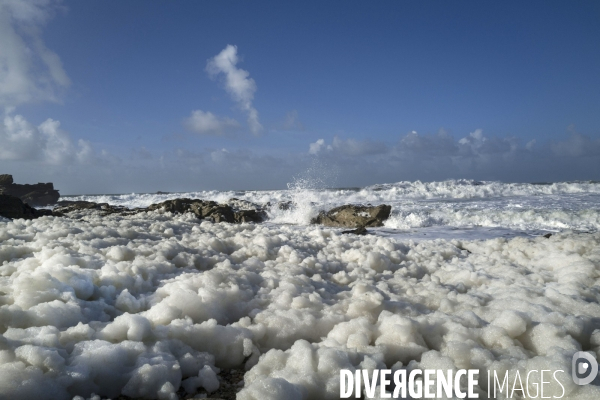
(237, 83)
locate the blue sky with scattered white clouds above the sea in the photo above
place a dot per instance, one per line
(492, 90)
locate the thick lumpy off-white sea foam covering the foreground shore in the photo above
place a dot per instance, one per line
(145, 304)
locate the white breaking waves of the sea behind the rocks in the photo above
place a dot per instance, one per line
(454, 203)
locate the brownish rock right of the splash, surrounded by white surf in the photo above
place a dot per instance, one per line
(353, 216)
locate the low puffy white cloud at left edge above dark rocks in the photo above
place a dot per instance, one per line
(46, 143)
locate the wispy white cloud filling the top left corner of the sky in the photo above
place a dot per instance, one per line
(29, 71)
